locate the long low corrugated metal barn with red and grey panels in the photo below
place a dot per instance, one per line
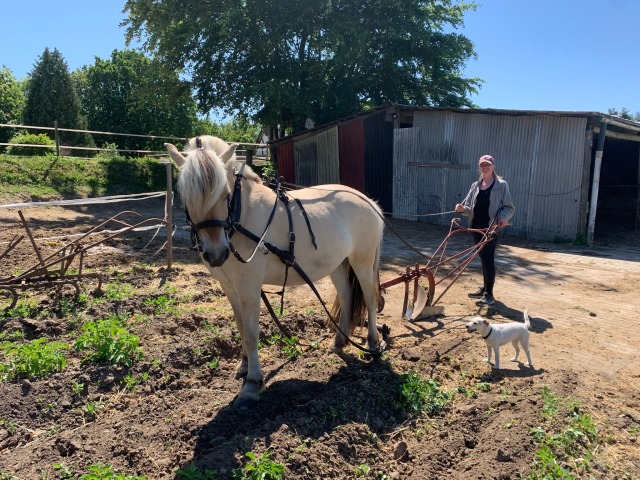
(572, 175)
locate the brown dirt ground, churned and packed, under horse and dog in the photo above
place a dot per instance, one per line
(322, 414)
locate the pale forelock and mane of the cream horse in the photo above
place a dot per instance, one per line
(204, 175)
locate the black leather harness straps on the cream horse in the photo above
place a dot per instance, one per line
(232, 224)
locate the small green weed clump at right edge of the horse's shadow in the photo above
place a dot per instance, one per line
(416, 395)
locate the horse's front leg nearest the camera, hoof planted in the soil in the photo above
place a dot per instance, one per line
(254, 380)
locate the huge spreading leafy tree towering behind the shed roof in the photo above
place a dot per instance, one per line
(288, 61)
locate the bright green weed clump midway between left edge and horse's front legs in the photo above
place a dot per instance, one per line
(107, 341)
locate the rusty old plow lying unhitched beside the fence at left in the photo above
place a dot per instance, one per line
(65, 266)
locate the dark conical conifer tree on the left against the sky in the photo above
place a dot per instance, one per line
(51, 97)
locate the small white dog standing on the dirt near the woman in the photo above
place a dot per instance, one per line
(496, 335)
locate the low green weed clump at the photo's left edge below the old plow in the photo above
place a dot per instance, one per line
(34, 359)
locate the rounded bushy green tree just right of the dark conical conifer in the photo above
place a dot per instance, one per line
(131, 93)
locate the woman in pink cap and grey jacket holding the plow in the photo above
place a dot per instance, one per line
(488, 202)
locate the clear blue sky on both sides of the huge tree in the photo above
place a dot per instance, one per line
(569, 55)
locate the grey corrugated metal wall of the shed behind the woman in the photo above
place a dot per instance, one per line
(541, 156)
